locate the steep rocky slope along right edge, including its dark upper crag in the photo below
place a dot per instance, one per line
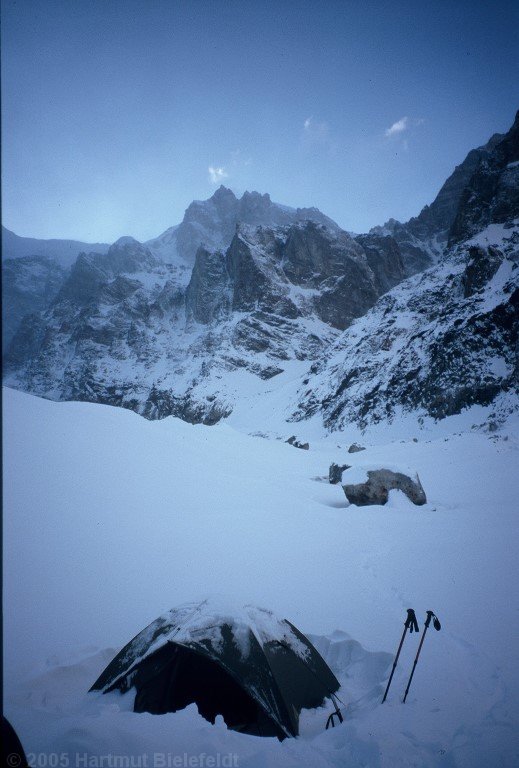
(445, 339)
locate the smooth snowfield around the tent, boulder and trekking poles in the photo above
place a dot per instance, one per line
(111, 520)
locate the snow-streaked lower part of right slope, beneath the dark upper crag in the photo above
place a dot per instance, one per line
(441, 342)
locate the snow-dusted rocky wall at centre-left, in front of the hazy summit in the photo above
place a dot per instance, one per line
(128, 329)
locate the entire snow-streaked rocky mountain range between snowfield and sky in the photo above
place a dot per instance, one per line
(243, 291)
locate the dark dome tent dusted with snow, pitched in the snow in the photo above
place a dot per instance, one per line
(255, 670)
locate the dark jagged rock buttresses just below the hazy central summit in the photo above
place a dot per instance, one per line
(263, 267)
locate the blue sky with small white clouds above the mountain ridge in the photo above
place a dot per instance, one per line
(116, 114)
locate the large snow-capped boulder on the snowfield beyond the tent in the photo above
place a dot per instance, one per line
(375, 490)
